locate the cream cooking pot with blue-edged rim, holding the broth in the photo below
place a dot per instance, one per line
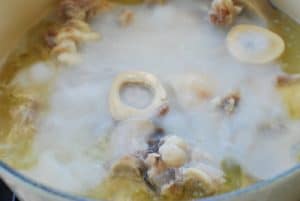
(19, 15)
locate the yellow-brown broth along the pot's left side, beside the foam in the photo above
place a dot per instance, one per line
(16, 141)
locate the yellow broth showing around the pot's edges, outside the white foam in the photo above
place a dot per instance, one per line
(14, 145)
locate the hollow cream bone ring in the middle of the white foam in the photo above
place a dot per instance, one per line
(122, 111)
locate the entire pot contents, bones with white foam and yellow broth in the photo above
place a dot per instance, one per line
(149, 101)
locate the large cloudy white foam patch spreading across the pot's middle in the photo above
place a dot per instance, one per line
(171, 42)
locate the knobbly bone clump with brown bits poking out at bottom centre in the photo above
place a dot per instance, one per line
(163, 173)
